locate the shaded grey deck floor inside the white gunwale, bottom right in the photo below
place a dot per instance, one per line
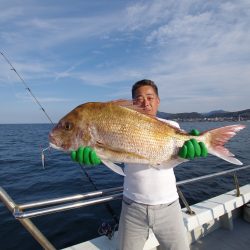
(220, 239)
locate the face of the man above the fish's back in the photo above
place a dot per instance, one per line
(146, 98)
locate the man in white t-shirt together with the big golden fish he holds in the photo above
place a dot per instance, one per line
(149, 147)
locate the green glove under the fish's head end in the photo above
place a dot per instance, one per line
(86, 156)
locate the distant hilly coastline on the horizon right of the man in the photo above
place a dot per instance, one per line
(216, 115)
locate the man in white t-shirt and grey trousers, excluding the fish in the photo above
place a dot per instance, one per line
(150, 198)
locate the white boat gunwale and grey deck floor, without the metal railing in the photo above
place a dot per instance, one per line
(218, 224)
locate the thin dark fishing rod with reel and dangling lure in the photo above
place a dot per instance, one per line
(105, 228)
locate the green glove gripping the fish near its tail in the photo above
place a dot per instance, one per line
(192, 148)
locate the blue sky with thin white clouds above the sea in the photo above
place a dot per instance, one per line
(72, 52)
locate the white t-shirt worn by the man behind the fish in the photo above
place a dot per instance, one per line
(147, 185)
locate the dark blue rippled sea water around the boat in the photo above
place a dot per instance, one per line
(22, 176)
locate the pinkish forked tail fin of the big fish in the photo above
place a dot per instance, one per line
(220, 136)
